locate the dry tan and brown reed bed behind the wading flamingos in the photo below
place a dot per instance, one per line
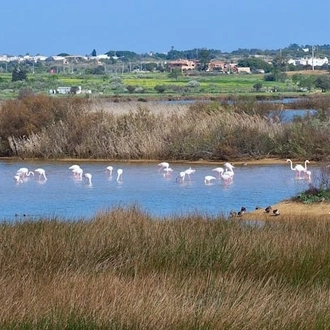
(43, 127)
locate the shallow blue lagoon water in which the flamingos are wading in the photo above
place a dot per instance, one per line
(64, 196)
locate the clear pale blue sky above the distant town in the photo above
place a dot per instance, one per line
(78, 27)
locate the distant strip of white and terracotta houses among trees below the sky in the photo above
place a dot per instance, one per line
(294, 57)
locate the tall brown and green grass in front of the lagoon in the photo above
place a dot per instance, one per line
(126, 270)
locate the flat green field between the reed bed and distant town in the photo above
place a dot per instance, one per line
(144, 83)
